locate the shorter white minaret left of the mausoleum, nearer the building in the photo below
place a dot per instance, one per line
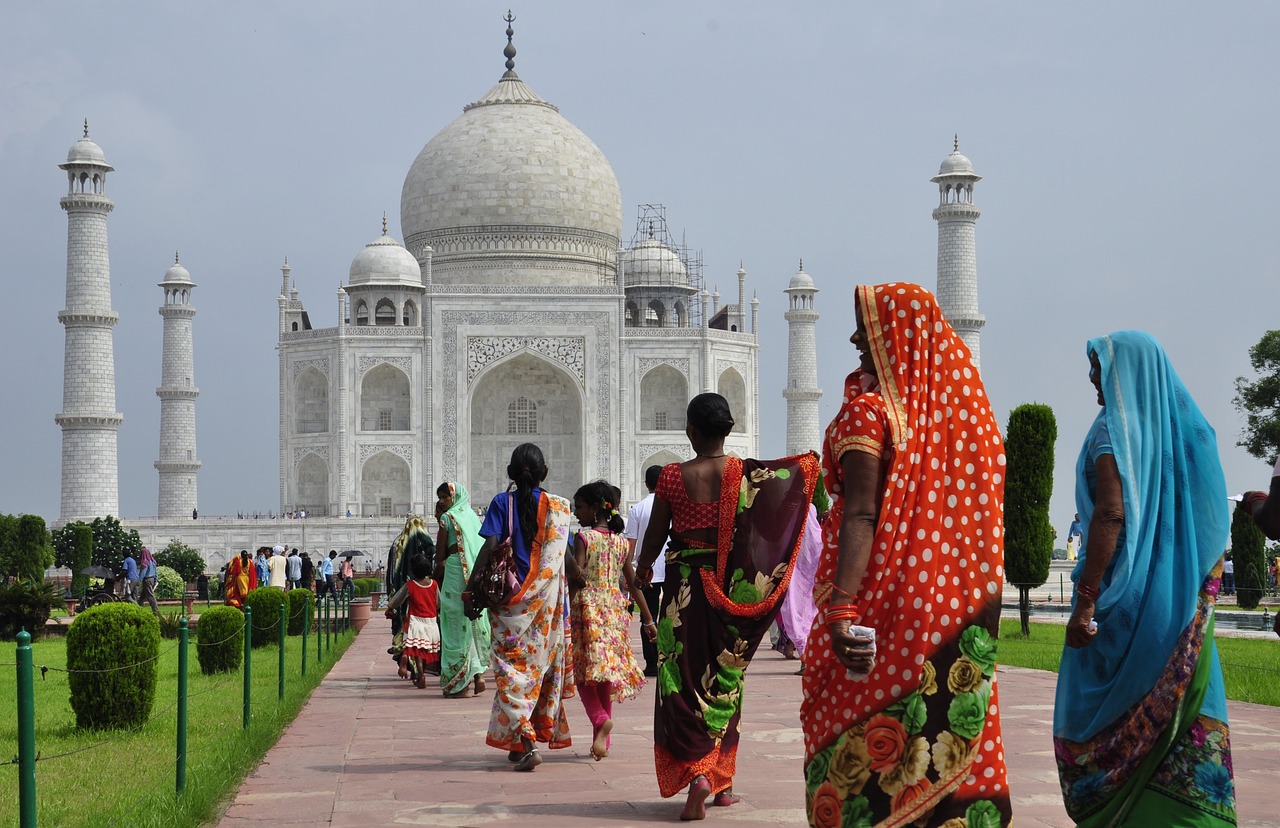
(177, 394)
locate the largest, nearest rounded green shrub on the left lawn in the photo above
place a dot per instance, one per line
(112, 660)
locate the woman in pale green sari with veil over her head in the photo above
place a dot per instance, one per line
(464, 643)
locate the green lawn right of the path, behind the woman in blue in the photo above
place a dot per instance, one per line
(1250, 666)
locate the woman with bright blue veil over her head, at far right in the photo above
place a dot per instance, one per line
(1140, 722)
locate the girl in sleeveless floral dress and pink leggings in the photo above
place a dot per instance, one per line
(605, 666)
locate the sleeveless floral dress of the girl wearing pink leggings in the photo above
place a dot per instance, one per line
(601, 623)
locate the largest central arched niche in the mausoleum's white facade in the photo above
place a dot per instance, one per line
(555, 402)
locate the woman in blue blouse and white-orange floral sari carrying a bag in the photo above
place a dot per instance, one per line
(532, 661)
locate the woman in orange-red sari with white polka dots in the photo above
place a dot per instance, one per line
(900, 711)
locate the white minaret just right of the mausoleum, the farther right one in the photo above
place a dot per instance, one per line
(802, 392)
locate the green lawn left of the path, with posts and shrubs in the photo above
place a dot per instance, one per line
(95, 779)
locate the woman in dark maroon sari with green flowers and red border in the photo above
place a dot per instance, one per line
(737, 528)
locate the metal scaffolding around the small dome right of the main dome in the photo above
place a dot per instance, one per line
(680, 269)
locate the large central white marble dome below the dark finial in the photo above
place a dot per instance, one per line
(511, 193)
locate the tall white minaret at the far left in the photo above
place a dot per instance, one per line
(89, 419)
